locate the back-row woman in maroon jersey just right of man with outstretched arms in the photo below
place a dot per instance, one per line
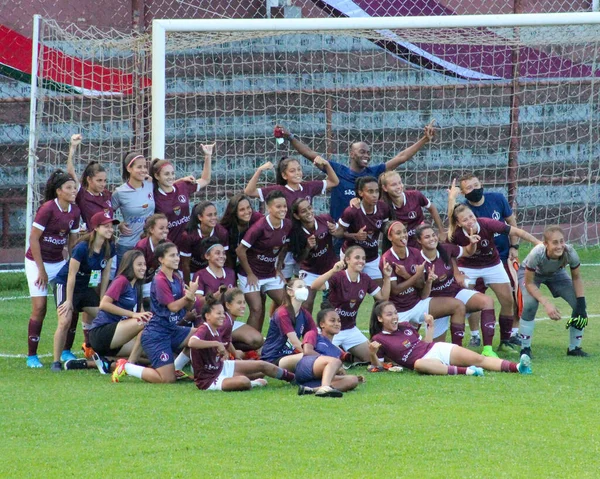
(407, 206)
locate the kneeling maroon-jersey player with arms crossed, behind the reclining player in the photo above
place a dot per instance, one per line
(411, 287)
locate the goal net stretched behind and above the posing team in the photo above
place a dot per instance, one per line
(518, 106)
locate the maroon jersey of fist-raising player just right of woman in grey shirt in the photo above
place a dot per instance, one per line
(176, 207)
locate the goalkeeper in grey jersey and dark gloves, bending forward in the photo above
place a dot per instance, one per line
(545, 264)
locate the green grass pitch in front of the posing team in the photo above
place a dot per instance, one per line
(78, 424)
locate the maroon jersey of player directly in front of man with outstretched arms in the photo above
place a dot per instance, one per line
(353, 219)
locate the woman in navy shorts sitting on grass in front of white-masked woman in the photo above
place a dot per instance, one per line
(320, 371)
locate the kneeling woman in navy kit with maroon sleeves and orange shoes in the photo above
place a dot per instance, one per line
(170, 299)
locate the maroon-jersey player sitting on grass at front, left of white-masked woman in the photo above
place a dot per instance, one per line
(211, 349)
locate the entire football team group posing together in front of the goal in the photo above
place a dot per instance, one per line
(158, 280)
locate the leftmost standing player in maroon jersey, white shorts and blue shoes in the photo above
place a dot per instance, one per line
(55, 226)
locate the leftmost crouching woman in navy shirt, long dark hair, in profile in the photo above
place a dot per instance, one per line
(116, 330)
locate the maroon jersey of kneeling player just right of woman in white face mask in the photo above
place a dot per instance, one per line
(346, 296)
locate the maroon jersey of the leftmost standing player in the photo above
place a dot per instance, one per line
(56, 225)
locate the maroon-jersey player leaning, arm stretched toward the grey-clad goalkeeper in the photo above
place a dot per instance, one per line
(485, 263)
